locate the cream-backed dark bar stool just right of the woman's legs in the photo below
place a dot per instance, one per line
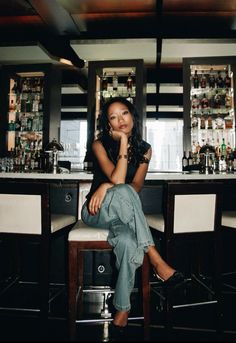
(192, 214)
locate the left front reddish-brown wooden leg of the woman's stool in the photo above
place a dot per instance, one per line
(72, 290)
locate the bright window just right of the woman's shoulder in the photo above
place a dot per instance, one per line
(166, 138)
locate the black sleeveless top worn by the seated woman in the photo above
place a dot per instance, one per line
(112, 151)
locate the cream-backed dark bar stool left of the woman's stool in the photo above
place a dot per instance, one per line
(26, 217)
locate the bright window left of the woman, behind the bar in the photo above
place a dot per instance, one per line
(73, 137)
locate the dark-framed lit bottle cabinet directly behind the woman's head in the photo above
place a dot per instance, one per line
(108, 79)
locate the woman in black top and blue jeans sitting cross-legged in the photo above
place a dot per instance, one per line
(121, 160)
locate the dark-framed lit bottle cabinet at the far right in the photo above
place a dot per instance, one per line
(209, 102)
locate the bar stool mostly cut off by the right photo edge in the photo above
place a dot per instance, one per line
(228, 225)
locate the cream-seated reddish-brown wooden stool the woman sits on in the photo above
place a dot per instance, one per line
(82, 238)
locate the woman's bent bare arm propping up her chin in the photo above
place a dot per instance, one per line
(115, 173)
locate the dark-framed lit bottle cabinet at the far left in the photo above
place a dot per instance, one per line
(30, 103)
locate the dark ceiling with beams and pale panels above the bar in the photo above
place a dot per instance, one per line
(161, 31)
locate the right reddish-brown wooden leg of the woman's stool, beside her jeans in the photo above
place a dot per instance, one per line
(146, 296)
